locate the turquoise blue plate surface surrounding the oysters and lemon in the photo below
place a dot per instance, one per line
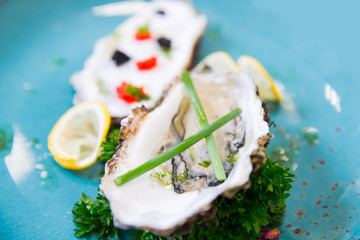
(305, 45)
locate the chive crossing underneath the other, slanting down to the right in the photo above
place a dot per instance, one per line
(210, 140)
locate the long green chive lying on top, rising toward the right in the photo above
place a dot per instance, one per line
(172, 152)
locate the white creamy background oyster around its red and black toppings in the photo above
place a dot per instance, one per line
(98, 80)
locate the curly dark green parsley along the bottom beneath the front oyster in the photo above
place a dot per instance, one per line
(241, 217)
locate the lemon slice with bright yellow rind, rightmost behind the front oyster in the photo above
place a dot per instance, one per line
(268, 89)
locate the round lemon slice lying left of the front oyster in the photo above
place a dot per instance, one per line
(76, 137)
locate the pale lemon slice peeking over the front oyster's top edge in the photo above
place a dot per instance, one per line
(218, 62)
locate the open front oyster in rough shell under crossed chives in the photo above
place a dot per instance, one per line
(183, 189)
